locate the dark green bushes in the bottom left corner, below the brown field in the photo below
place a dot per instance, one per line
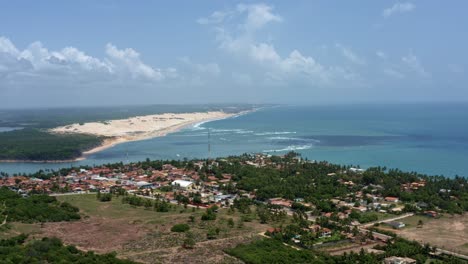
(49, 250)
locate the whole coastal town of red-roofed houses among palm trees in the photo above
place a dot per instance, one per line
(362, 217)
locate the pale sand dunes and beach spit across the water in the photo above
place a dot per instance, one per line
(138, 127)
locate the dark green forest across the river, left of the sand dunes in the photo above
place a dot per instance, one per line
(34, 144)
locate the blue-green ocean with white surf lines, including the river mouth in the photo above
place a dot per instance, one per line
(427, 138)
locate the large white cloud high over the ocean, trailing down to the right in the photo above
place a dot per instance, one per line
(240, 40)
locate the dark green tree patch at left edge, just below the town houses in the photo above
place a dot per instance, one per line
(35, 208)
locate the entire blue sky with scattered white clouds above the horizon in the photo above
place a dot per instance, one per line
(55, 53)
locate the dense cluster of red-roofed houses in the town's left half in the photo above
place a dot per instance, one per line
(170, 180)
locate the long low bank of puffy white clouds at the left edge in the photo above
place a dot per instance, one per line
(41, 65)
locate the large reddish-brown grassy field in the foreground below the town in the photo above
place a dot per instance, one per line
(144, 235)
